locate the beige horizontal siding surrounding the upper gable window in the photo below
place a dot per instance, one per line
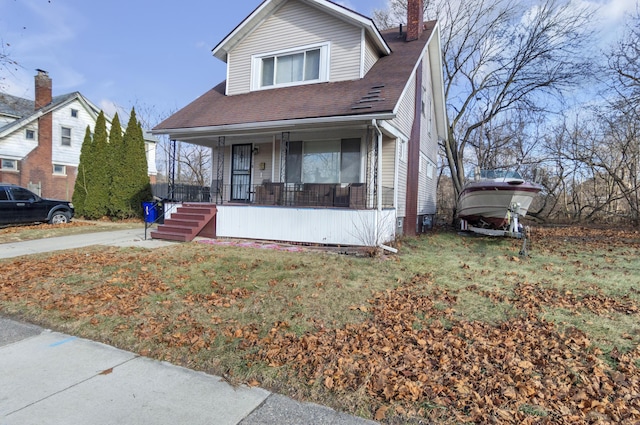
(293, 25)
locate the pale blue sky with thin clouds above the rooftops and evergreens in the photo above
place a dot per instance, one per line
(142, 52)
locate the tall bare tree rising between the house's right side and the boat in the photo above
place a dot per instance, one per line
(503, 57)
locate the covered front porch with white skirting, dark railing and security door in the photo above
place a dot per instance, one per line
(318, 185)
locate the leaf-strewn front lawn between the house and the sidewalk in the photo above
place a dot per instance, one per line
(453, 329)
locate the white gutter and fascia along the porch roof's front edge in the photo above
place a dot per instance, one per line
(185, 133)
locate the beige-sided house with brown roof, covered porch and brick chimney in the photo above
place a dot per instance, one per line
(326, 129)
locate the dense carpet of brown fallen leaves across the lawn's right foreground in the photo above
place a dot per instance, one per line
(410, 353)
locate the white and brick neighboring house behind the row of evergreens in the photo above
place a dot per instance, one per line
(40, 140)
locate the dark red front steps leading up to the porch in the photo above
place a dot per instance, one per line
(189, 221)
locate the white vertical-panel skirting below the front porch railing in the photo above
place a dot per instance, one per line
(330, 226)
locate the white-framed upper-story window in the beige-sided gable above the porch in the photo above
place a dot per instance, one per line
(291, 67)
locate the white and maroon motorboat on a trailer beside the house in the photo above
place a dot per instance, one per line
(493, 200)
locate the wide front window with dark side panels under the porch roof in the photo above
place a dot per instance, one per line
(332, 161)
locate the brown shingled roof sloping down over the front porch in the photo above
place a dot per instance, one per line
(380, 89)
